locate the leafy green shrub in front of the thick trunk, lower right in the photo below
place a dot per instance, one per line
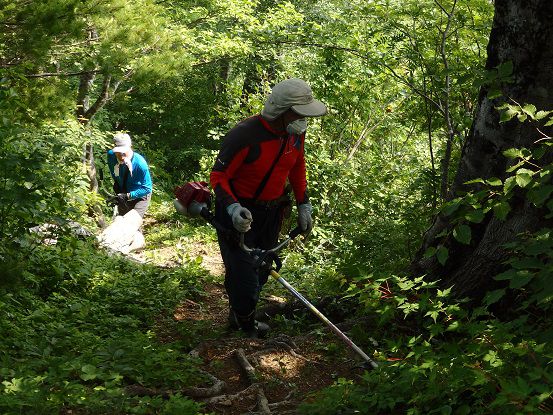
(441, 356)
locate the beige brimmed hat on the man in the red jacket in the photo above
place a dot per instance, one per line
(292, 94)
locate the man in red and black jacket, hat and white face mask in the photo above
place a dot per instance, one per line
(256, 158)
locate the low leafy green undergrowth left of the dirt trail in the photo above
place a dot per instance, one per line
(86, 329)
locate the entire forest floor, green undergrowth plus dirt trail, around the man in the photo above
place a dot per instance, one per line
(97, 333)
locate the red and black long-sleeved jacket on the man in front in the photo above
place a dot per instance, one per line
(247, 154)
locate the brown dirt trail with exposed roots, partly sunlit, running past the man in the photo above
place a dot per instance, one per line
(271, 376)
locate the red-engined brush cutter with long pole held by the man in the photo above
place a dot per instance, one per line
(194, 199)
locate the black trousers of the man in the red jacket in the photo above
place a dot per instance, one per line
(242, 282)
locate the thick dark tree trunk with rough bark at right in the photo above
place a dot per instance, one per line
(522, 33)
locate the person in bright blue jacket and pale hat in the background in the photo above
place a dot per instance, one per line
(132, 182)
